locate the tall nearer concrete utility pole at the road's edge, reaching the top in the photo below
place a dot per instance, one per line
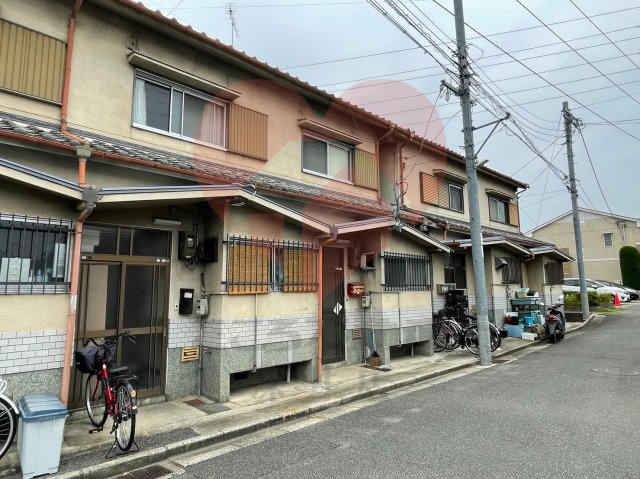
(472, 189)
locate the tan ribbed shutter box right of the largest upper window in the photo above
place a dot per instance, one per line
(247, 132)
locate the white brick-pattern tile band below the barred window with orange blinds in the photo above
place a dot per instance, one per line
(235, 333)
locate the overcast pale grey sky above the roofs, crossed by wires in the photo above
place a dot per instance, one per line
(350, 49)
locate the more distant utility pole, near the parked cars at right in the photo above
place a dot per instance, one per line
(569, 122)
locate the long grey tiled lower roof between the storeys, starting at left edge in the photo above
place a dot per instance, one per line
(206, 170)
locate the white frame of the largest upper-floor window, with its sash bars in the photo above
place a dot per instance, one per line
(162, 82)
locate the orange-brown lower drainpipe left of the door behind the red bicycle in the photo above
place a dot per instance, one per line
(90, 199)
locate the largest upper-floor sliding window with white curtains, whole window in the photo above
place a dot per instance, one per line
(178, 111)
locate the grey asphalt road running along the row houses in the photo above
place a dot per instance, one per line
(569, 410)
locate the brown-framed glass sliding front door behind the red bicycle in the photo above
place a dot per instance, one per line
(125, 291)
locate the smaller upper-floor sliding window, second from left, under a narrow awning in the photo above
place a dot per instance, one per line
(326, 157)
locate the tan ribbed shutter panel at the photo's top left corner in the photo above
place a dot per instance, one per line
(33, 62)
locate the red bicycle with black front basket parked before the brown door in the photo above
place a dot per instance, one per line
(108, 391)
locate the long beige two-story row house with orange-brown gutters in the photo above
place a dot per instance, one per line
(155, 180)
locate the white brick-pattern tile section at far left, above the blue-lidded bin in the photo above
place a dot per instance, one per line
(26, 351)
